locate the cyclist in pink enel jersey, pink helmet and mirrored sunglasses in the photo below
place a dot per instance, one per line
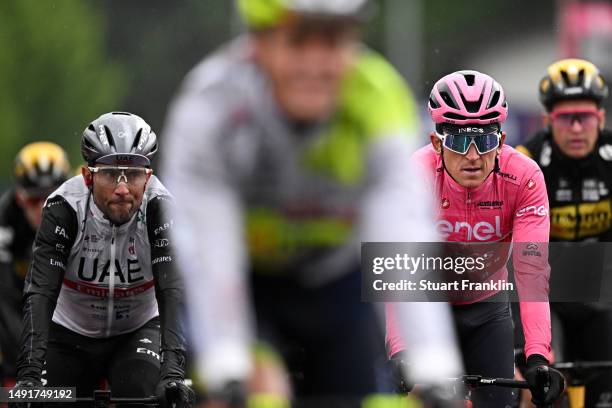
(486, 191)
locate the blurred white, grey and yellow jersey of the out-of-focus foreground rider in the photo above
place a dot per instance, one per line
(254, 193)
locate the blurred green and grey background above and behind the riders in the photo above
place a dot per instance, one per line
(64, 62)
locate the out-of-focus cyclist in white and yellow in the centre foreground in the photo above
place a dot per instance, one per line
(287, 147)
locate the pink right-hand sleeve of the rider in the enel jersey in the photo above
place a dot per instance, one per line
(531, 229)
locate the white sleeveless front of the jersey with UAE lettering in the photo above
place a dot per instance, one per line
(108, 286)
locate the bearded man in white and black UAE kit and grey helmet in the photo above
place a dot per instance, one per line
(102, 299)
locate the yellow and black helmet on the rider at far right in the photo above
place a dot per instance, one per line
(572, 79)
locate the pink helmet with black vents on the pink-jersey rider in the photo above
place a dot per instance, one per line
(467, 97)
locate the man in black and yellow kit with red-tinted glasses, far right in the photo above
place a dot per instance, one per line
(574, 152)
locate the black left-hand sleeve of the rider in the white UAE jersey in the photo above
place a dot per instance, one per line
(52, 245)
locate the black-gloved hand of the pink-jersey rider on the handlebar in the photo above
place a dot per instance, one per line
(546, 383)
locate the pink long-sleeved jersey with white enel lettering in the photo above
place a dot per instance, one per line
(511, 205)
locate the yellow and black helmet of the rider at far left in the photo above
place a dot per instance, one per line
(41, 167)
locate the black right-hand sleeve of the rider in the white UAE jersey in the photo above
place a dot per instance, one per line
(168, 287)
